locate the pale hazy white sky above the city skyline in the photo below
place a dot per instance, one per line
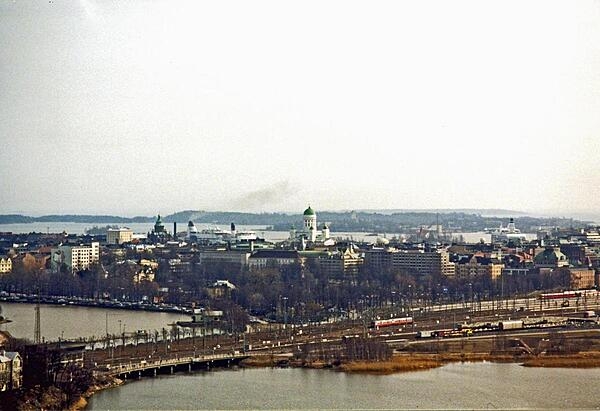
(139, 107)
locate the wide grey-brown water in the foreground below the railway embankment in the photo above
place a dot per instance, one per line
(464, 386)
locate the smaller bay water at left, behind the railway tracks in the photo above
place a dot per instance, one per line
(73, 322)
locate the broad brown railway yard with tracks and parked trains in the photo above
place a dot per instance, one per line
(530, 327)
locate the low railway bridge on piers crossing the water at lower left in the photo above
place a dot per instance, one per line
(168, 366)
